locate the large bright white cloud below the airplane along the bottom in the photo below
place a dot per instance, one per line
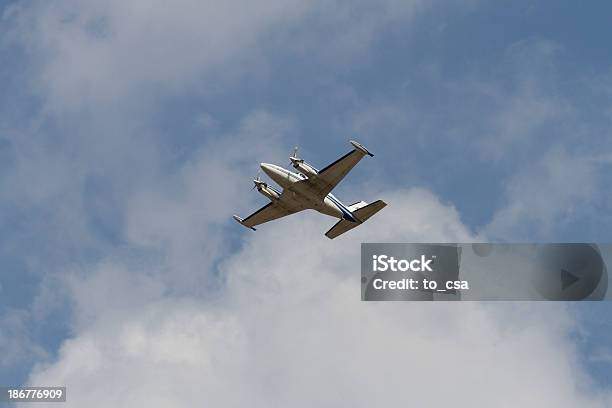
(288, 329)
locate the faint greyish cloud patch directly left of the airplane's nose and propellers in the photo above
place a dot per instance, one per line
(181, 215)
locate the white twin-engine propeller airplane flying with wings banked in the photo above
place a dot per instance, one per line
(310, 188)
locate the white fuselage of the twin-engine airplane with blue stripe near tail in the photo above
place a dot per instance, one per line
(303, 195)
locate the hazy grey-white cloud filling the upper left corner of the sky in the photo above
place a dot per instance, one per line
(98, 52)
